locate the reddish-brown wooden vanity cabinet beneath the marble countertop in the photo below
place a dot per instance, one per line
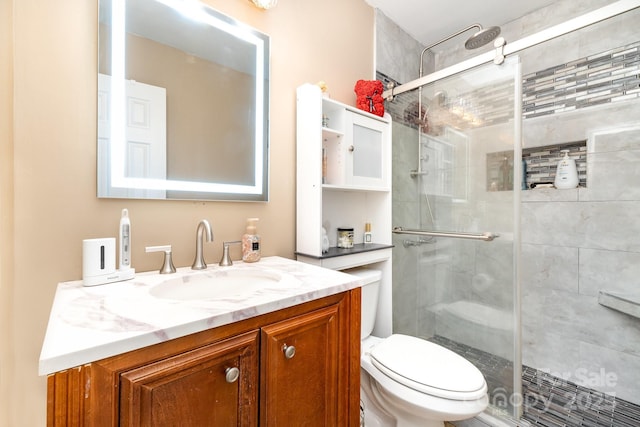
(297, 366)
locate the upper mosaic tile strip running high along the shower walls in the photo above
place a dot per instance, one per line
(609, 76)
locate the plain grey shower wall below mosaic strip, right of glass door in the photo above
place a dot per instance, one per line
(576, 243)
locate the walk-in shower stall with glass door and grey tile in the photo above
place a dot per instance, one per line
(519, 292)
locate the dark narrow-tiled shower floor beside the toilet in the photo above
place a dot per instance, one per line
(549, 401)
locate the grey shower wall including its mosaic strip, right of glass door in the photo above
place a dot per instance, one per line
(578, 242)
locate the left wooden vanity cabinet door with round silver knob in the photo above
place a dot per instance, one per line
(197, 388)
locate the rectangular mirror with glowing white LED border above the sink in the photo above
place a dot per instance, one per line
(183, 103)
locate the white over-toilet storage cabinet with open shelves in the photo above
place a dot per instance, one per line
(343, 180)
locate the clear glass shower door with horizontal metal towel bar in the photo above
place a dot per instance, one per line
(455, 259)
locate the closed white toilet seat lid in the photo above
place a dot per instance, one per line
(428, 368)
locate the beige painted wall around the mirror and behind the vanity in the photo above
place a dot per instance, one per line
(50, 196)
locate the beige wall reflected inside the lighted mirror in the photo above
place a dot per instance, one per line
(204, 99)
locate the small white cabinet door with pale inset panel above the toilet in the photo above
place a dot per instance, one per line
(368, 151)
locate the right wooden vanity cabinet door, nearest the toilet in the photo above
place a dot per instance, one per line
(301, 371)
